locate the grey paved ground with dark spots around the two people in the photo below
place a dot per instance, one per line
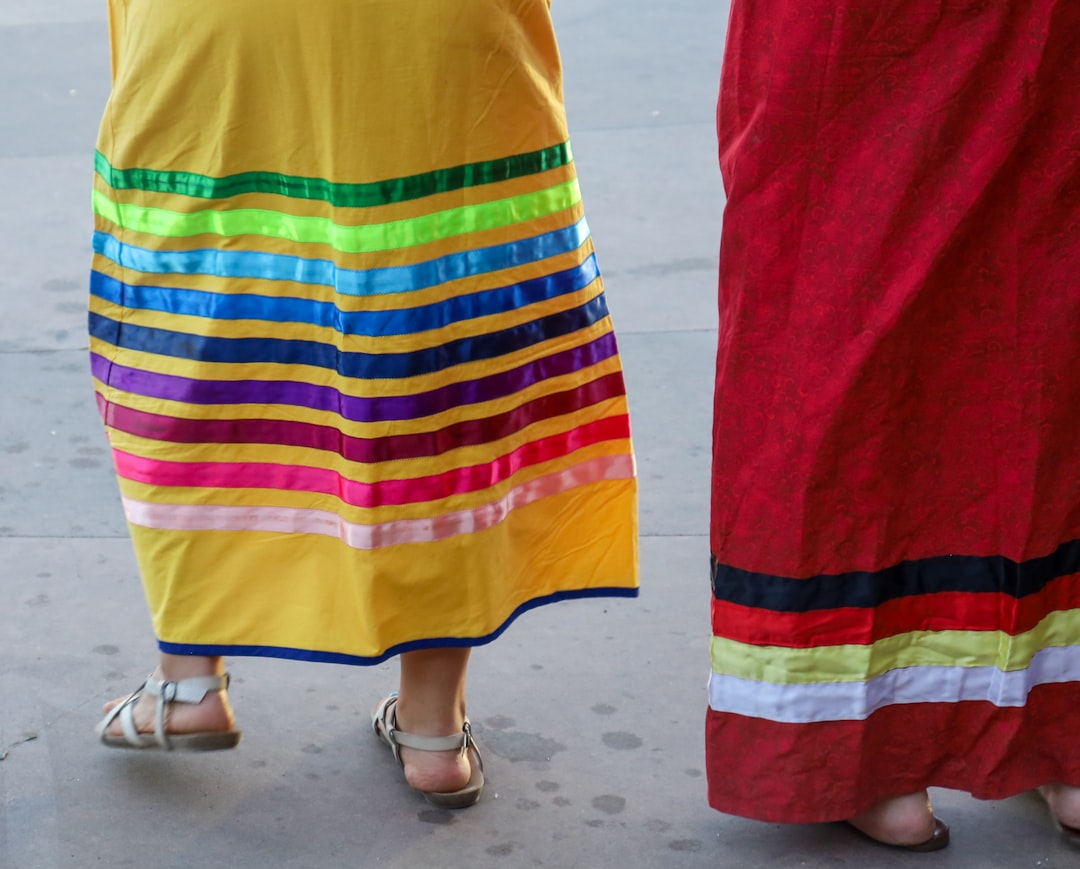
(591, 713)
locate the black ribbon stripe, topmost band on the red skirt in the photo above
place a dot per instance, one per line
(970, 574)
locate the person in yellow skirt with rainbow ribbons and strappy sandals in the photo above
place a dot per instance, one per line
(350, 345)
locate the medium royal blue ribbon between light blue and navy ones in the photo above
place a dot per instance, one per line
(372, 324)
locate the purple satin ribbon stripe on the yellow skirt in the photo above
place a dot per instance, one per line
(398, 408)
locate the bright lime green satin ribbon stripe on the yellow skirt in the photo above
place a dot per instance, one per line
(347, 239)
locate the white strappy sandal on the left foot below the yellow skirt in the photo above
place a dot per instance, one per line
(184, 691)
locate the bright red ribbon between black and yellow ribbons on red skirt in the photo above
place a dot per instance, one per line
(942, 612)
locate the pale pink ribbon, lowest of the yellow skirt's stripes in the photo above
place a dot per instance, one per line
(292, 521)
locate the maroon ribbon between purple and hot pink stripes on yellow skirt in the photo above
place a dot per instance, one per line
(370, 451)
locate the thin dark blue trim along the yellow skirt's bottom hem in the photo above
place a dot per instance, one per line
(440, 643)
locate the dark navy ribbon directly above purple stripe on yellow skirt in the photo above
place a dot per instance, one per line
(369, 366)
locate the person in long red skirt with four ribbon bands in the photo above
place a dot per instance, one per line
(896, 517)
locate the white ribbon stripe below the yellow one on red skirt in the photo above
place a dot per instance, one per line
(801, 704)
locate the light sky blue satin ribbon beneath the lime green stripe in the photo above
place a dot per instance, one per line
(350, 282)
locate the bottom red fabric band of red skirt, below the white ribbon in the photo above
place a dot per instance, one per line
(833, 770)
